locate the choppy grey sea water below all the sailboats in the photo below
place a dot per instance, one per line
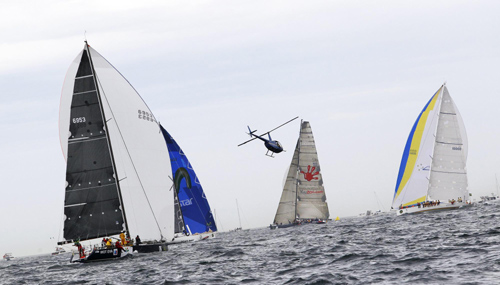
(453, 247)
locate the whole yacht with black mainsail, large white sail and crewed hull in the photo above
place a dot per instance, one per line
(117, 168)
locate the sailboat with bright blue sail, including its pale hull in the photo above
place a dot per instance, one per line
(193, 217)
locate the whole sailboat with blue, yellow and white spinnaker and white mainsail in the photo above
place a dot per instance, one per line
(433, 173)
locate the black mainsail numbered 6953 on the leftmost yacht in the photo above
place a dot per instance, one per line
(92, 203)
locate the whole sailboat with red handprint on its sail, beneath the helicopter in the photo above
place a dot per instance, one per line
(303, 198)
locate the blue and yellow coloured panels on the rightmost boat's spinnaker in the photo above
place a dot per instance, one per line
(412, 147)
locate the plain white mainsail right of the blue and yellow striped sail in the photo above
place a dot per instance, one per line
(448, 179)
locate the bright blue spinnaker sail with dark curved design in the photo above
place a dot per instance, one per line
(194, 204)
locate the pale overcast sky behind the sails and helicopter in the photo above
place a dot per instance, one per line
(359, 71)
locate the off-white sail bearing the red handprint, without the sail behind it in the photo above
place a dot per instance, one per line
(311, 203)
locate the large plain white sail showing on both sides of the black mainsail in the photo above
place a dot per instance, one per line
(140, 155)
